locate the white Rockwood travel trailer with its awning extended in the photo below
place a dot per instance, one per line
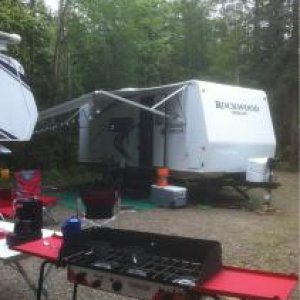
(193, 126)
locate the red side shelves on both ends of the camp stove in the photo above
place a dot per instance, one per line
(230, 281)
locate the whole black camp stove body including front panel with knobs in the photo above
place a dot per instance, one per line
(139, 264)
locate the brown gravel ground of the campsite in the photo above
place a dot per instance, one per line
(251, 240)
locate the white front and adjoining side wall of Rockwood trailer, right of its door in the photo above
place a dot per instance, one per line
(224, 127)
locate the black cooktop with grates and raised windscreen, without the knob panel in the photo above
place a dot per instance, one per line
(144, 256)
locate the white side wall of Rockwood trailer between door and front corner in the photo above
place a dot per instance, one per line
(183, 140)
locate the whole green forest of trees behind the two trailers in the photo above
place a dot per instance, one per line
(110, 44)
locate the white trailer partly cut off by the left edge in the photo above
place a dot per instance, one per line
(18, 113)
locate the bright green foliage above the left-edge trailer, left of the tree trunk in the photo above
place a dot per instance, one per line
(35, 53)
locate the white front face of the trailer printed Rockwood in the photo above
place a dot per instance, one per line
(238, 126)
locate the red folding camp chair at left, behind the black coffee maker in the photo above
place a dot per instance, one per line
(29, 185)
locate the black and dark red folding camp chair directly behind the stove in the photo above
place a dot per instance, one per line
(101, 207)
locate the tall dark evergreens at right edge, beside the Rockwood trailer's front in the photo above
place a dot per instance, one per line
(275, 65)
